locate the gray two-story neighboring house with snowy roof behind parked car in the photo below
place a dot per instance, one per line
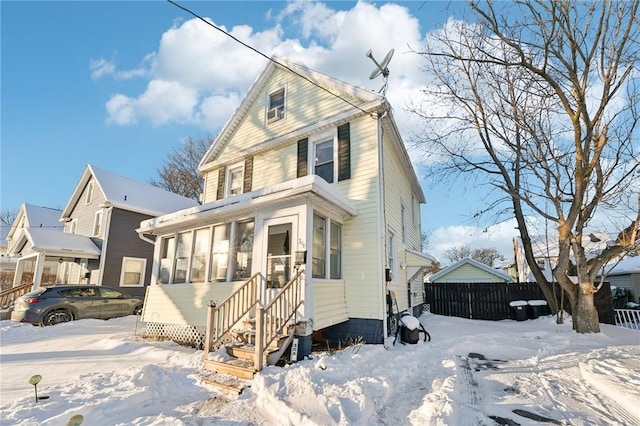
(97, 242)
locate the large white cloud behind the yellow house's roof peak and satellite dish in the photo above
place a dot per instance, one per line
(198, 75)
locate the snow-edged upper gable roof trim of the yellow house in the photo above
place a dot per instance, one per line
(364, 97)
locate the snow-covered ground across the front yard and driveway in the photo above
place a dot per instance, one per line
(471, 373)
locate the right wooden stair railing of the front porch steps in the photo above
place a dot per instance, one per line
(272, 318)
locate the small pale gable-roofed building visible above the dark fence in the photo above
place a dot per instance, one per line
(469, 270)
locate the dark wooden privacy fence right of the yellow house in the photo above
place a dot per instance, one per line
(488, 301)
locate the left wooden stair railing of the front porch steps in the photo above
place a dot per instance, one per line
(221, 318)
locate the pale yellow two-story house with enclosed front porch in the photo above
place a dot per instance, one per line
(309, 174)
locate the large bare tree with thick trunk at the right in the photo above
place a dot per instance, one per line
(538, 100)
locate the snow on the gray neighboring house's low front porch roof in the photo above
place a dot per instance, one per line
(47, 239)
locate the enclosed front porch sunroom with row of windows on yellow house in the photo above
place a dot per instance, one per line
(205, 253)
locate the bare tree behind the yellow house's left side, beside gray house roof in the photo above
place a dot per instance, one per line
(179, 171)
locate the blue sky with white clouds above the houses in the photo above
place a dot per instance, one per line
(120, 84)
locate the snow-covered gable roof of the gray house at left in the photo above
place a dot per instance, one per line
(128, 194)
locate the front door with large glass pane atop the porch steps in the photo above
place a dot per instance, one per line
(279, 241)
